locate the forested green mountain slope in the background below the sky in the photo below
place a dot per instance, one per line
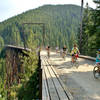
(61, 24)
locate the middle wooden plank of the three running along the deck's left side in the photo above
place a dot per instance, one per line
(52, 90)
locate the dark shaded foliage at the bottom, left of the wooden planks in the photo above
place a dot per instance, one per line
(30, 88)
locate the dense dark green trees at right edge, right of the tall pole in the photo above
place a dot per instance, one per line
(91, 31)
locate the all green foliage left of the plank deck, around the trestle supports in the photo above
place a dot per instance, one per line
(29, 77)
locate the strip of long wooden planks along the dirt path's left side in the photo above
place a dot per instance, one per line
(53, 88)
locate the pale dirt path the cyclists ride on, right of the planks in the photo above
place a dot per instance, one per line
(80, 82)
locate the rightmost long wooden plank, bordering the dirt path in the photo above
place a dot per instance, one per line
(59, 88)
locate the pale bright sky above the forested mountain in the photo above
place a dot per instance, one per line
(9, 8)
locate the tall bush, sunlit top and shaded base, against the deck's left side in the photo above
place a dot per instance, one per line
(30, 85)
